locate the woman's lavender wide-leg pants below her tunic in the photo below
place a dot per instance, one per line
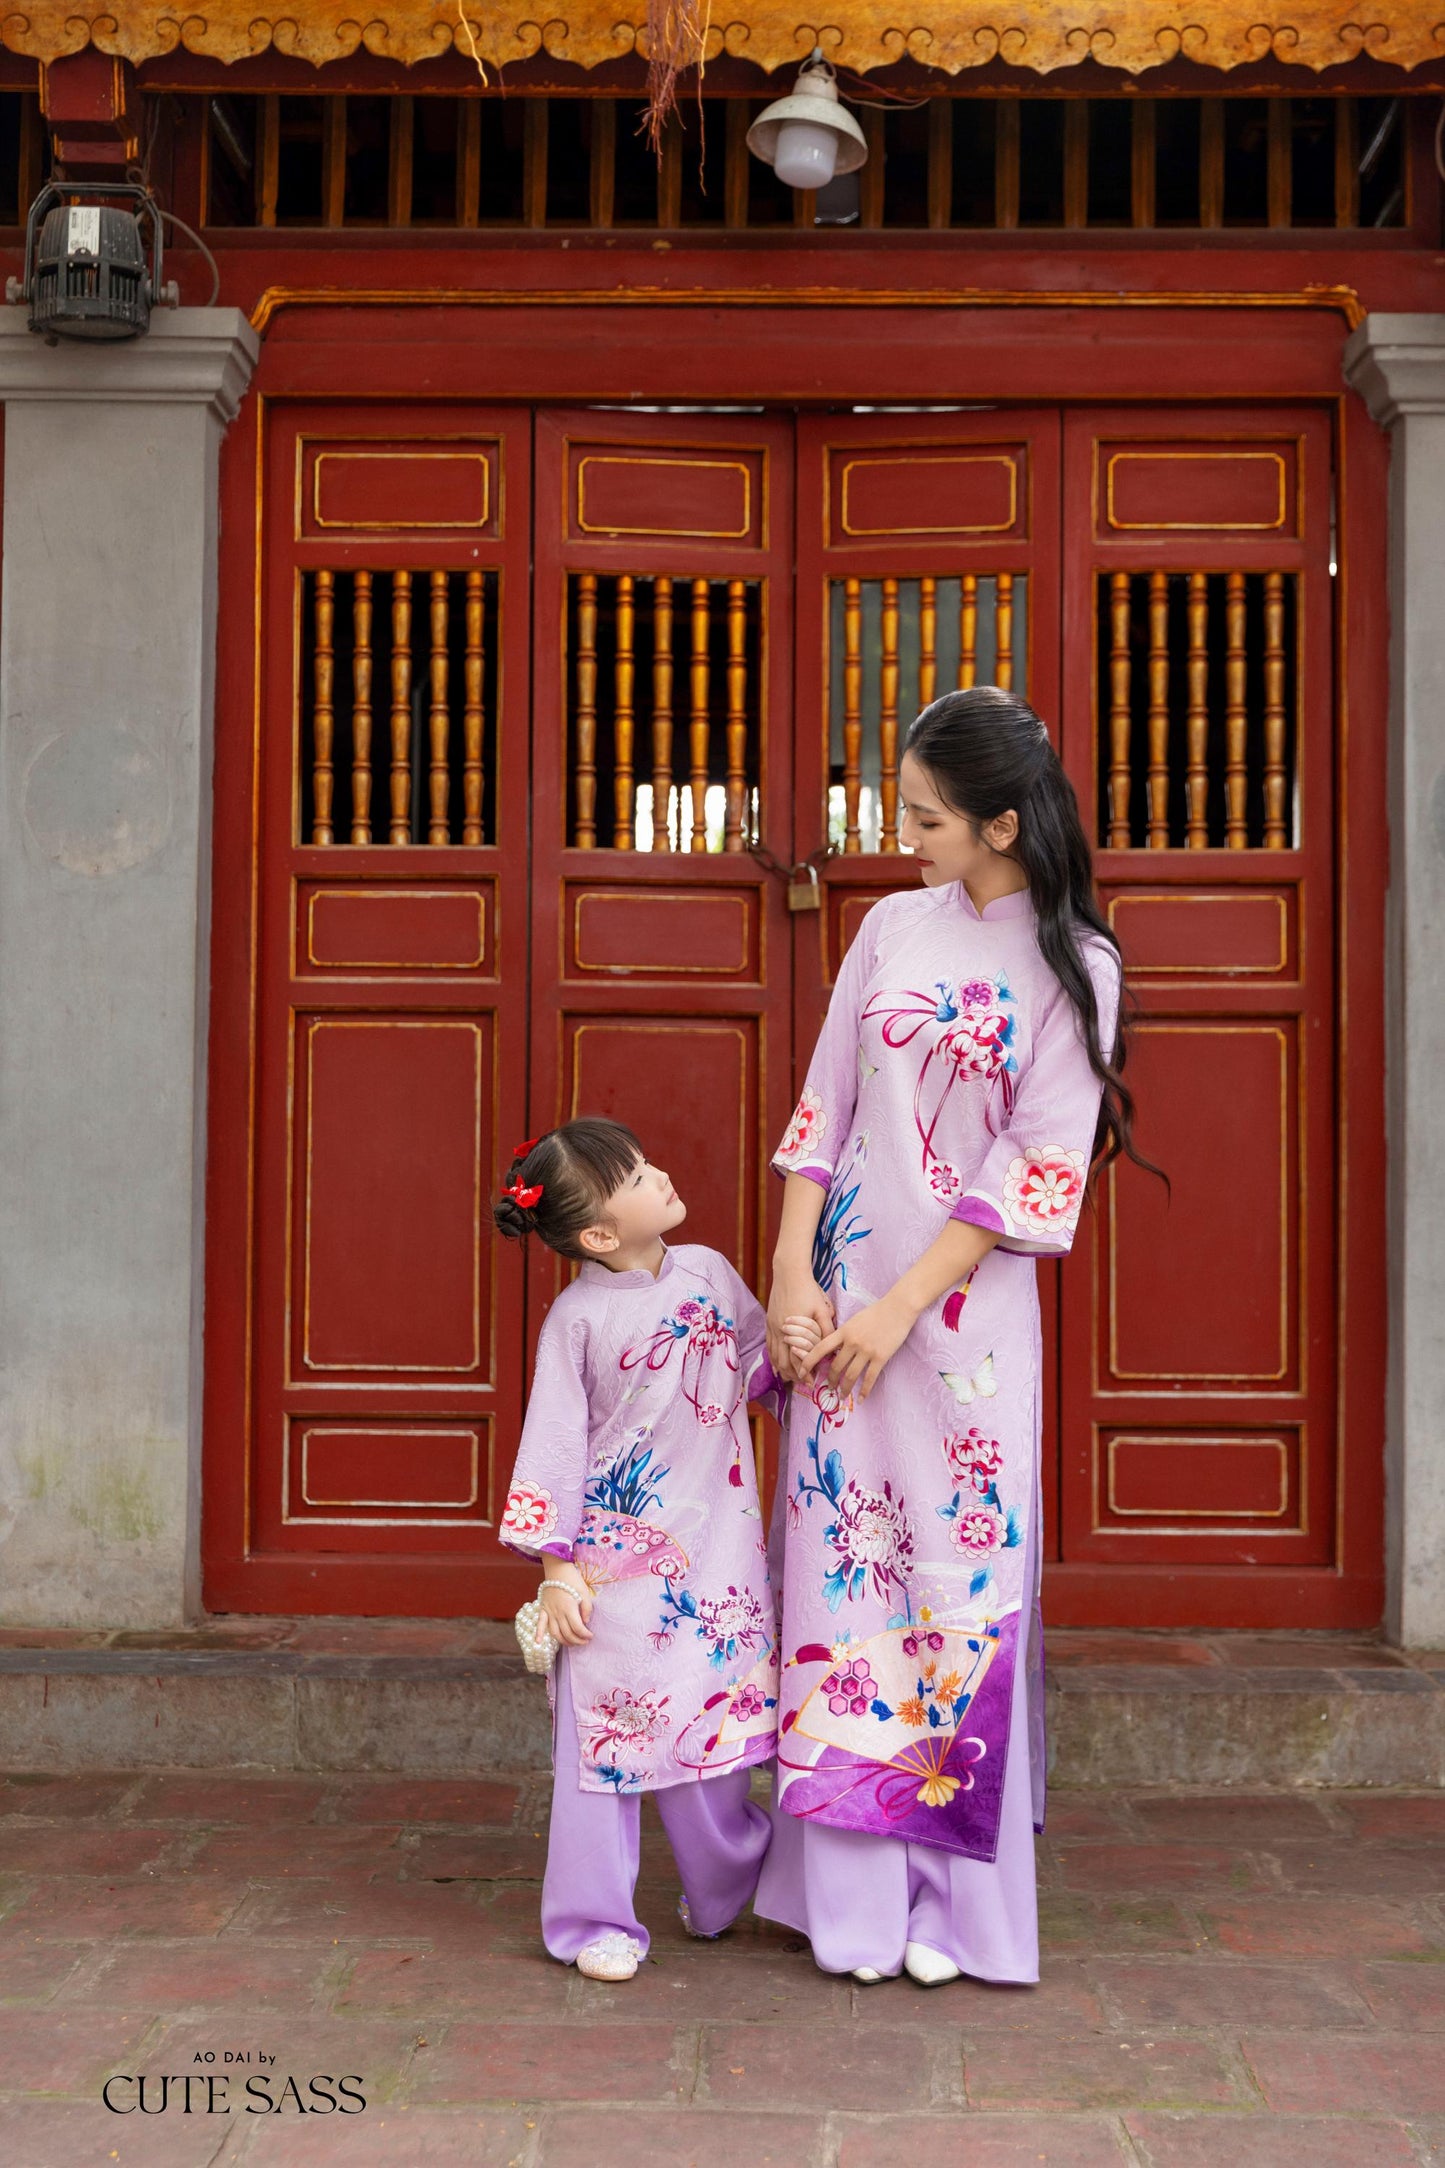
(861, 1898)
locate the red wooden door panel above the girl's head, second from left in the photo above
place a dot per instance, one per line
(664, 753)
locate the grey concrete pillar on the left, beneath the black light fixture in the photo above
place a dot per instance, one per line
(107, 641)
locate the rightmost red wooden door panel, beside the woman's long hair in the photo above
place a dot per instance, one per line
(1199, 1441)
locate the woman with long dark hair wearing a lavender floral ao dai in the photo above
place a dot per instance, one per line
(965, 1079)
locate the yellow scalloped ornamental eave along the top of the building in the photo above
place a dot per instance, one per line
(952, 36)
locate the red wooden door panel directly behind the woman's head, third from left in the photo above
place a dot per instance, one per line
(928, 558)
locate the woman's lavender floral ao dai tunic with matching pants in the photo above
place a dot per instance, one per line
(950, 1083)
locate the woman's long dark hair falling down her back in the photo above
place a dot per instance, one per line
(989, 753)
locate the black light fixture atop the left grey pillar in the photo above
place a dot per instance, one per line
(88, 272)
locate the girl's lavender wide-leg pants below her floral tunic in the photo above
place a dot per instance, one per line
(718, 1840)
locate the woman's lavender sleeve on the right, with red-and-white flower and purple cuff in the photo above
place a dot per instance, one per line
(1030, 1187)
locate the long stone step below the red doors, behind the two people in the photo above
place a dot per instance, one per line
(452, 1699)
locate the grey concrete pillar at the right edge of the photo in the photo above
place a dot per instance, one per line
(1398, 367)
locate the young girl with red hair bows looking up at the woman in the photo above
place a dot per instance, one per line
(636, 1486)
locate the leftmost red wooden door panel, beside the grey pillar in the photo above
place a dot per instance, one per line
(391, 998)
